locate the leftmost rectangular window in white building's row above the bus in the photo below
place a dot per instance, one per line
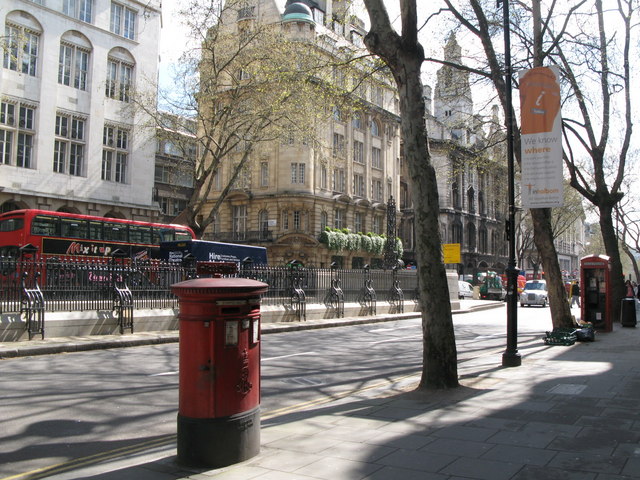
(20, 130)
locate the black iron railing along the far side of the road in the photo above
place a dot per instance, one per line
(69, 285)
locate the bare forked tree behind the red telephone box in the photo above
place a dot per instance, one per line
(596, 62)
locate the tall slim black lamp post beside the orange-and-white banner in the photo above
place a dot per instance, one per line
(510, 357)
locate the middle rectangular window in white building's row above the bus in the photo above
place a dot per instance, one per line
(69, 145)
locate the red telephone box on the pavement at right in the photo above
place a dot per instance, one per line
(595, 291)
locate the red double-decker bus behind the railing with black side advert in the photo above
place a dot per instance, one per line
(58, 234)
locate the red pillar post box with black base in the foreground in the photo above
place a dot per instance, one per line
(219, 373)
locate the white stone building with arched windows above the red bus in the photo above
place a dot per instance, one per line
(69, 137)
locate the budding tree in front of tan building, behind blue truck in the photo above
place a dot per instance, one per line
(246, 83)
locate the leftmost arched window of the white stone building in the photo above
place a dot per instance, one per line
(20, 52)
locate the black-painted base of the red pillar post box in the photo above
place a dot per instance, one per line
(218, 442)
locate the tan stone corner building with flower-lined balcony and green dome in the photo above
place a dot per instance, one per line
(292, 189)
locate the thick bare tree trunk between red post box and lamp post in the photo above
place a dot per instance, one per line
(404, 56)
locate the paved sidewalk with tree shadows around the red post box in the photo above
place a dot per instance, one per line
(566, 413)
